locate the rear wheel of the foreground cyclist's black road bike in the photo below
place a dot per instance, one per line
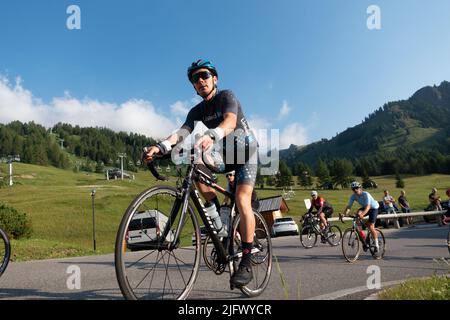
(261, 261)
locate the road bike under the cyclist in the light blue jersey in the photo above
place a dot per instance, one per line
(355, 237)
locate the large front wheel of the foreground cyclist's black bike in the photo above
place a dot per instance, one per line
(152, 266)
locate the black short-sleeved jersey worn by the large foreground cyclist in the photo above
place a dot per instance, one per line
(212, 112)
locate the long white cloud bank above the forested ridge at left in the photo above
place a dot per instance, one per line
(139, 116)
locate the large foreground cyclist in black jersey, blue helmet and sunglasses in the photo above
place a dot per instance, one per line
(220, 111)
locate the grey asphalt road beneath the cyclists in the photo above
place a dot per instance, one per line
(318, 273)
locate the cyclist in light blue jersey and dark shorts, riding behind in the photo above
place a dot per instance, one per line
(369, 207)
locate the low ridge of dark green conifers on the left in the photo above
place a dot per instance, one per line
(97, 147)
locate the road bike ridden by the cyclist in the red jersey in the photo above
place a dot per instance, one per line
(311, 229)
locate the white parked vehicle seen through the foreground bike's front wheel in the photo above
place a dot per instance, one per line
(145, 228)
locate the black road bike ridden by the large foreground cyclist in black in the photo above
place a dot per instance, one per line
(160, 258)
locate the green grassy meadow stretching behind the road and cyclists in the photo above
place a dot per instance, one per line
(59, 205)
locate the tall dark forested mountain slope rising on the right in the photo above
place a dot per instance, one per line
(410, 136)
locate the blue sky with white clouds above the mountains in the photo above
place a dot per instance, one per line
(308, 68)
